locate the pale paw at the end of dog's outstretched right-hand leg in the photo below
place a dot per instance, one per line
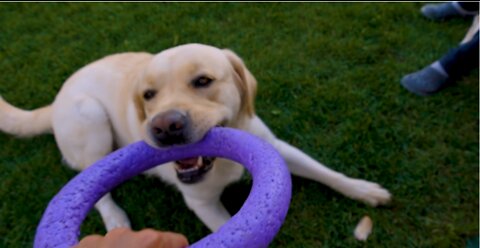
(367, 192)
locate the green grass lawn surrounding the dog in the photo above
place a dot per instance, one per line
(328, 83)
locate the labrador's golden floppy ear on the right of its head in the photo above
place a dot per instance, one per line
(246, 83)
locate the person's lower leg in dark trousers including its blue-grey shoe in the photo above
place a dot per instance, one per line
(451, 66)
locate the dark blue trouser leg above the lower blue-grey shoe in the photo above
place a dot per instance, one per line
(462, 59)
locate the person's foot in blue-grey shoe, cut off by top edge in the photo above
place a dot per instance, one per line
(449, 9)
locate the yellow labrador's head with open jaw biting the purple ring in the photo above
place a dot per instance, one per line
(187, 90)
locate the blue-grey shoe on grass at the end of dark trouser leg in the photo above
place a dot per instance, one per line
(425, 82)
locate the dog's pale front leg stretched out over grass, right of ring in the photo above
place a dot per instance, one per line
(302, 165)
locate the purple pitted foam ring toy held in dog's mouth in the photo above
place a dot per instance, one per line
(254, 225)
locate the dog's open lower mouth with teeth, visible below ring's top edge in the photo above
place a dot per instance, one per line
(192, 170)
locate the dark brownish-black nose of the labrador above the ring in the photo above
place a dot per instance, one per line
(170, 128)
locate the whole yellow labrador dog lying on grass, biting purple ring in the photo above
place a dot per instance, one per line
(171, 98)
